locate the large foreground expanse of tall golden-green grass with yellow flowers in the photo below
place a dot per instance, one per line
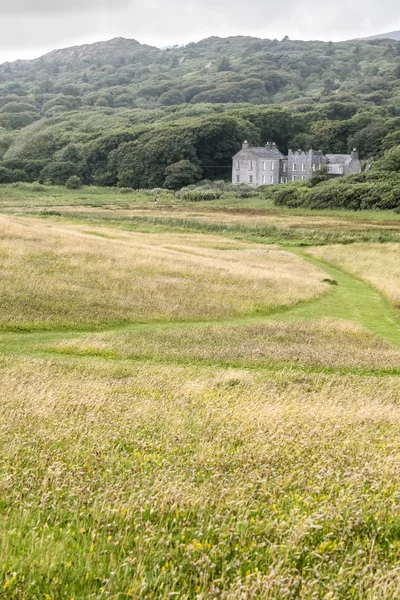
(148, 482)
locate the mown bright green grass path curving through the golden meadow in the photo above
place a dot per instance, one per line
(351, 299)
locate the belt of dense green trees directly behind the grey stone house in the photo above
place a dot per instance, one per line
(178, 146)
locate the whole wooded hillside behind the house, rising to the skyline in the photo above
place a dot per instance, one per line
(126, 114)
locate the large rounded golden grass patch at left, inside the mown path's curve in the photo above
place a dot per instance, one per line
(60, 276)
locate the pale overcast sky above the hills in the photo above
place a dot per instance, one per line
(30, 28)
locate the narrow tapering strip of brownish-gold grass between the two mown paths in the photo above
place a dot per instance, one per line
(326, 343)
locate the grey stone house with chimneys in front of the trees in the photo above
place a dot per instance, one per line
(268, 166)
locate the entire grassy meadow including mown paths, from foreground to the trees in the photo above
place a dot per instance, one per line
(188, 414)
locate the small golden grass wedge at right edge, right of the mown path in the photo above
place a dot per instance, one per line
(378, 264)
